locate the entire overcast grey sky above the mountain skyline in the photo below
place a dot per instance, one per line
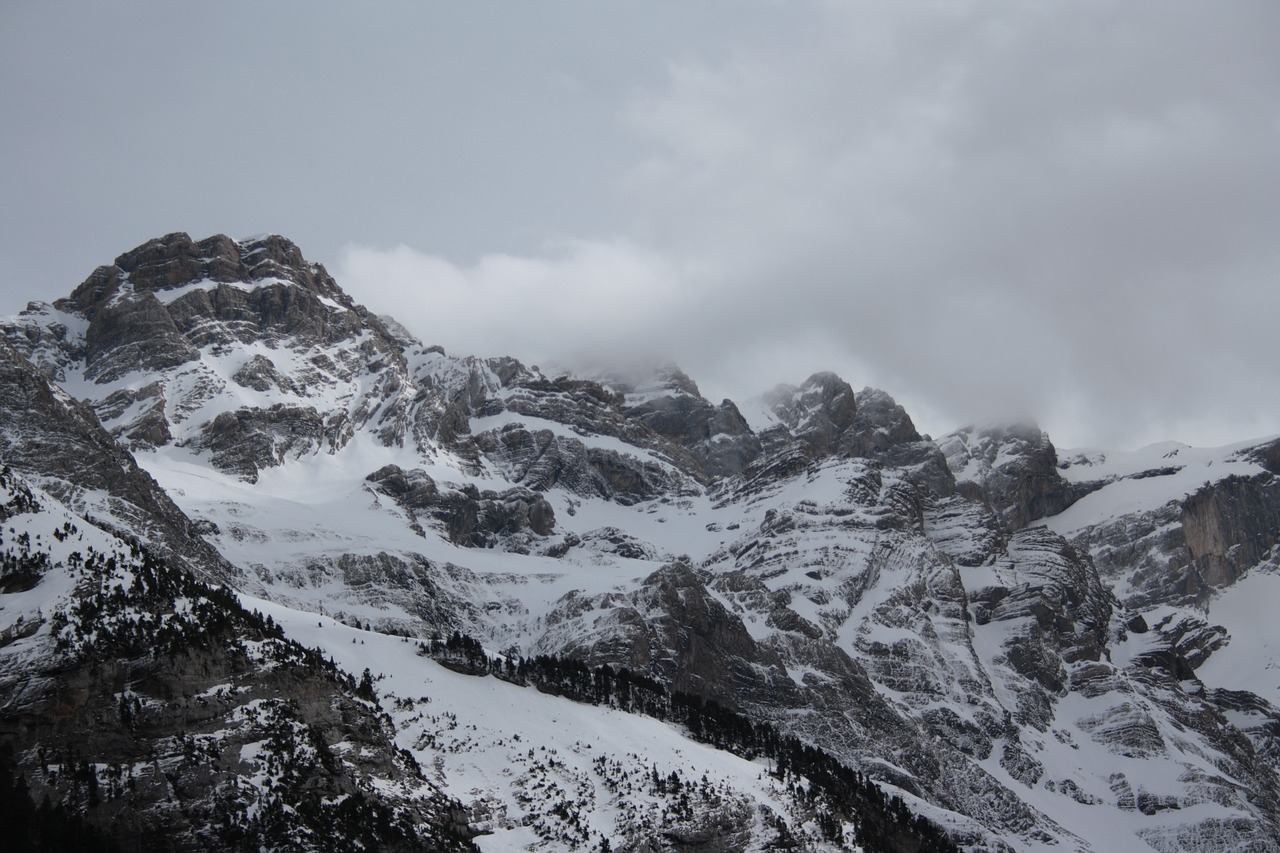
(1067, 211)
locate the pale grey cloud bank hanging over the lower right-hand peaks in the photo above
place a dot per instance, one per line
(1066, 211)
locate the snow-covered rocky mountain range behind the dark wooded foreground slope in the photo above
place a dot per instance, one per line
(1030, 649)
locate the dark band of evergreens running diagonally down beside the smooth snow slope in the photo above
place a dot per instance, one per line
(836, 792)
